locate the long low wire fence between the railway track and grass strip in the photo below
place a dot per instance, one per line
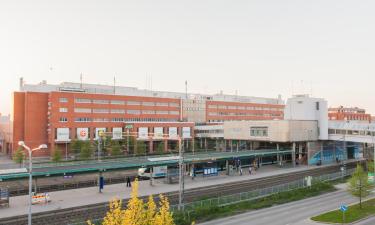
(260, 193)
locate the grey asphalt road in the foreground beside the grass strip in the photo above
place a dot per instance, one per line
(294, 213)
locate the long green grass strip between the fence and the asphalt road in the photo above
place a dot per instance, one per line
(202, 214)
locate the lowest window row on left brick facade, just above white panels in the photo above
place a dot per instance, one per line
(115, 120)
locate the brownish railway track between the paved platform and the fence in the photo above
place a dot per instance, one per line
(95, 211)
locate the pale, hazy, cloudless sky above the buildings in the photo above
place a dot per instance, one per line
(254, 47)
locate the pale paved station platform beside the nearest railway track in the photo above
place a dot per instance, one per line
(85, 196)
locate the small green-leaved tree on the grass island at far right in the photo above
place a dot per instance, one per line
(359, 185)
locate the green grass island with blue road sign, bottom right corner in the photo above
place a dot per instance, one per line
(353, 214)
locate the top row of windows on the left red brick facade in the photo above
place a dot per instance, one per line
(121, 102)
